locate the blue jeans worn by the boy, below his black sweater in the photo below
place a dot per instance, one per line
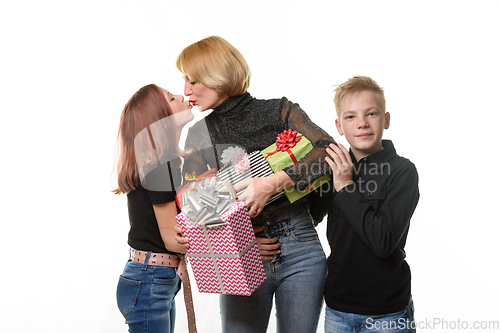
(398, 322)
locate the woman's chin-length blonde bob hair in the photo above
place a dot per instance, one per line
(217, 64)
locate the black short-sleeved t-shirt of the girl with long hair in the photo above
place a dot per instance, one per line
(157, 189)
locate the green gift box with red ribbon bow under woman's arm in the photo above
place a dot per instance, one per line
(290, 147)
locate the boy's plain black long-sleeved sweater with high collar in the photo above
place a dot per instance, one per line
(368, 224)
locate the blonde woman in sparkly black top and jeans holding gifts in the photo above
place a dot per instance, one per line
(217, 77)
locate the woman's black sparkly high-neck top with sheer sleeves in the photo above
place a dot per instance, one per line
(253, 124)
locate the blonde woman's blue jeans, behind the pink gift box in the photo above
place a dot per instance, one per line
(295, 277)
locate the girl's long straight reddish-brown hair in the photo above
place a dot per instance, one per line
(145, 135)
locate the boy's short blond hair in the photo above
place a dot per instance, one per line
(356, 84)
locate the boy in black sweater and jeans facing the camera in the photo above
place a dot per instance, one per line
(376, 192)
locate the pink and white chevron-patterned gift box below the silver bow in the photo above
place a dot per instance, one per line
(225, 259)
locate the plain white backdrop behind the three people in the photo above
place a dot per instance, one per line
(68, 67)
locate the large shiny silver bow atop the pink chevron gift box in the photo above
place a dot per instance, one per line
(205, 202)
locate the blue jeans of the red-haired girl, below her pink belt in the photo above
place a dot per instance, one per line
(145, 297)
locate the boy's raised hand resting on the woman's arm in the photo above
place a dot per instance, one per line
(341, 165)
